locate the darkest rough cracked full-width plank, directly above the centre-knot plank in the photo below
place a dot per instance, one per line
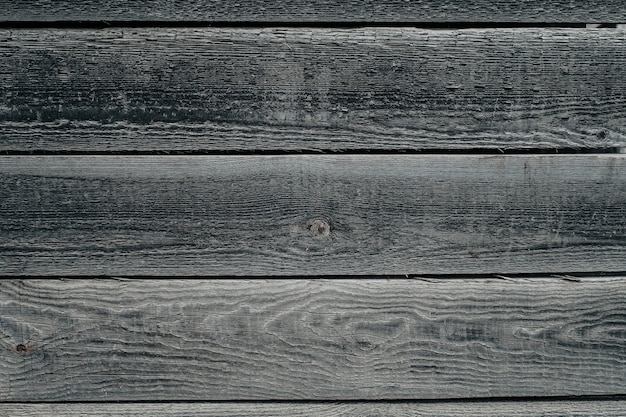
(196, 89)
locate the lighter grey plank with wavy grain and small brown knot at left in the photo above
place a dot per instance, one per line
(310, 339)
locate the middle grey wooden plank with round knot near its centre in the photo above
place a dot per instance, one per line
(311, 214)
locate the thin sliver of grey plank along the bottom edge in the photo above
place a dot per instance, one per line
(493, 409)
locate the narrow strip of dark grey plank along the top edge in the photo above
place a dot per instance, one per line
(557, 11)
